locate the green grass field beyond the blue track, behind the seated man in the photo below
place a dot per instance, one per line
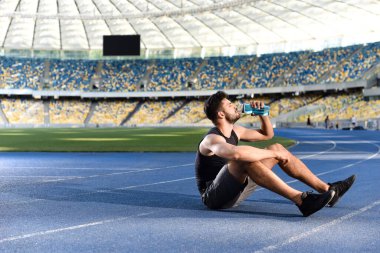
(109, 140)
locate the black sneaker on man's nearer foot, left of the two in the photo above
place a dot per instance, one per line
(312, 202)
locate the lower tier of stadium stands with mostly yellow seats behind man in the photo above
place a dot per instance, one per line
(181, 111)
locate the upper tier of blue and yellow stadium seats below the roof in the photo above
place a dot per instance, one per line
(297, 68)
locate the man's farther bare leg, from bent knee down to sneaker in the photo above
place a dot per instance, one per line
(297, 169)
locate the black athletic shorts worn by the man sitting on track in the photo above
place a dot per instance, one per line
(223, 191)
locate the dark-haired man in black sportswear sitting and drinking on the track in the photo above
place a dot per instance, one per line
(227, 174)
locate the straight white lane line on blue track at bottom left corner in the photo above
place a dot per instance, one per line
(81, 226)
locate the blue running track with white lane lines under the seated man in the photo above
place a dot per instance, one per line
(148, 202)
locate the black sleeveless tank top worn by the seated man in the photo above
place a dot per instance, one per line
(207, 167)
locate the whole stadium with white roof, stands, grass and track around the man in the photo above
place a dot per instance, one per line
(60, 92)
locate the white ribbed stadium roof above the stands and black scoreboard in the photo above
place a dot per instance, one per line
(189, 27)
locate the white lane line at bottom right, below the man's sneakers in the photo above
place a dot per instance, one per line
(315, 230)
